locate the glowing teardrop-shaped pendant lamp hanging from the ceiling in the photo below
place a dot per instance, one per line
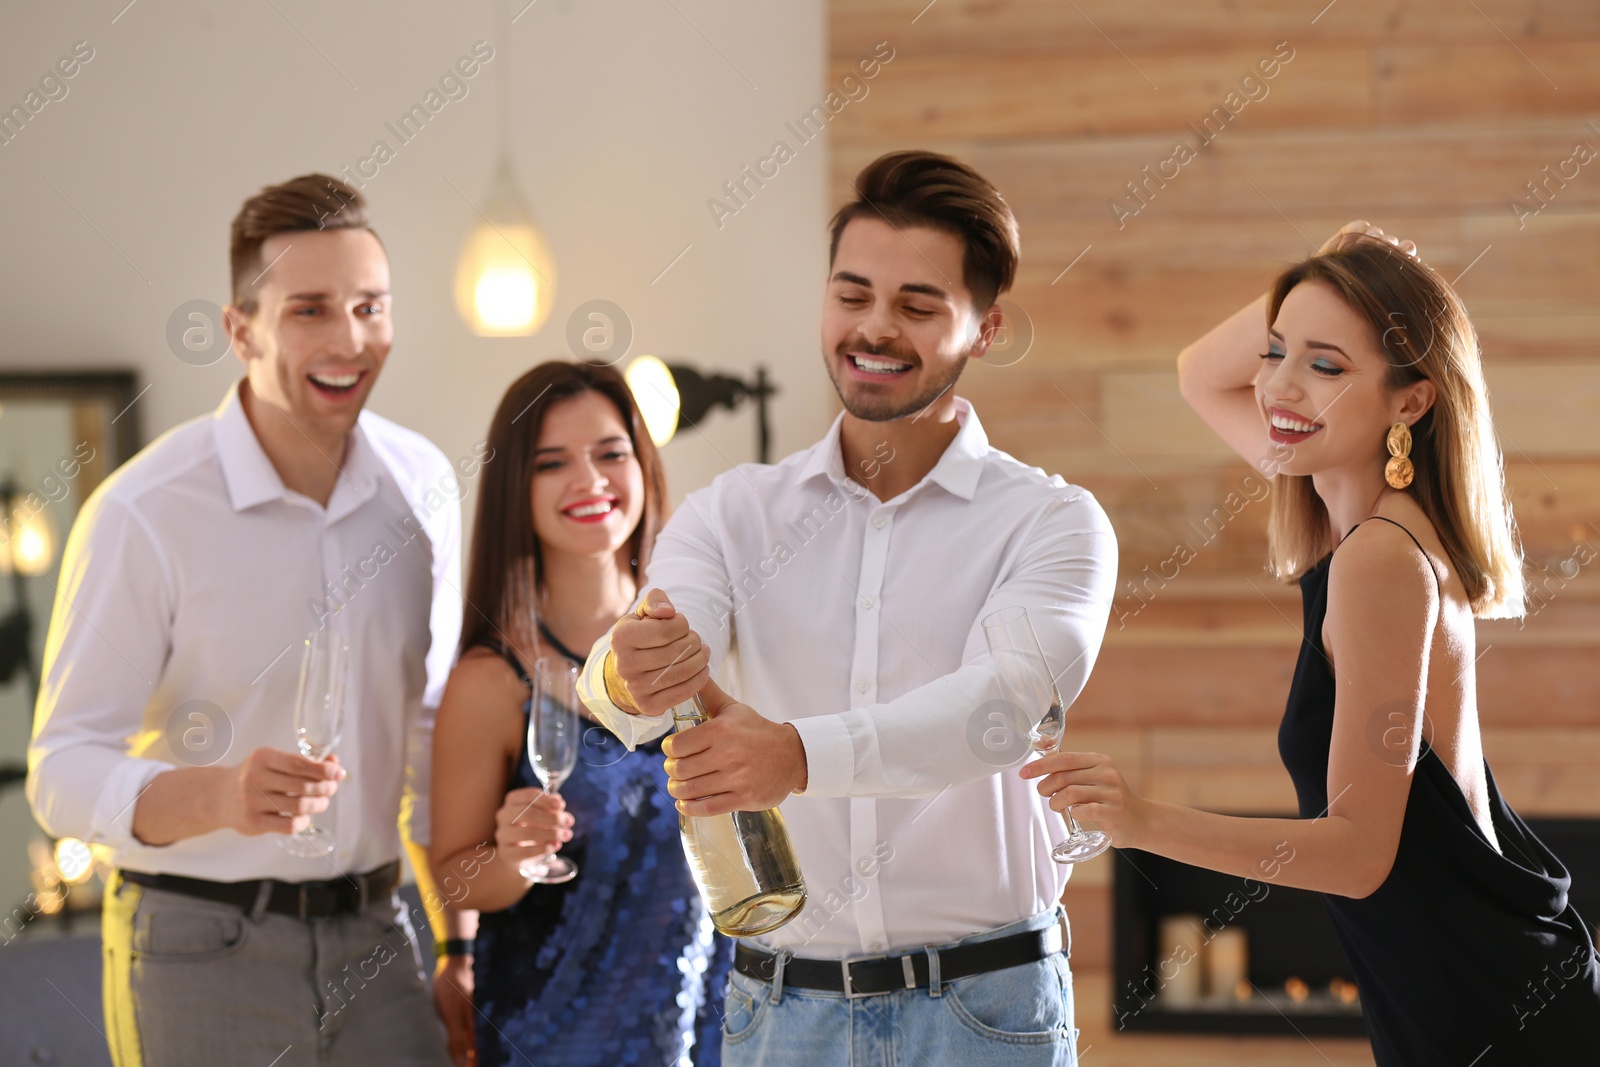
(505, 276)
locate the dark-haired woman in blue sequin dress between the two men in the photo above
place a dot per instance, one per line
(620, 965)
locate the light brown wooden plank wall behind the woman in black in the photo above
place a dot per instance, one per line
(1430, 118)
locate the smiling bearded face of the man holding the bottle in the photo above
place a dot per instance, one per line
(898, 324)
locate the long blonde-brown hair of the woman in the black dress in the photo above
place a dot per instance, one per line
(1423, 330)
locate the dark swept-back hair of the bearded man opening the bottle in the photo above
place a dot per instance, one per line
(935, 191)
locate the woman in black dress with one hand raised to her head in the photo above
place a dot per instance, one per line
(1369, 410)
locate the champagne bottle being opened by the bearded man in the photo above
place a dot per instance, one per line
(742, 861)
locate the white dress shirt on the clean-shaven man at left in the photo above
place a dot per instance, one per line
(188, 588)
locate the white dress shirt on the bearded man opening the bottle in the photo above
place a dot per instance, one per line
(858, 623)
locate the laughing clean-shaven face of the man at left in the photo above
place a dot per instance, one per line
(321, 330)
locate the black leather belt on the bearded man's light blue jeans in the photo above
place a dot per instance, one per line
(887, 975)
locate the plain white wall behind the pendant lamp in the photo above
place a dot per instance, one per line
(626, 118)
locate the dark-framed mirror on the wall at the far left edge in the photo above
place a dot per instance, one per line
(62, 434)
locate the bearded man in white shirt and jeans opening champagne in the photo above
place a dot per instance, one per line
(841, 593)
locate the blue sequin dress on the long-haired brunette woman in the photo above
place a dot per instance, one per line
(620, 965)
